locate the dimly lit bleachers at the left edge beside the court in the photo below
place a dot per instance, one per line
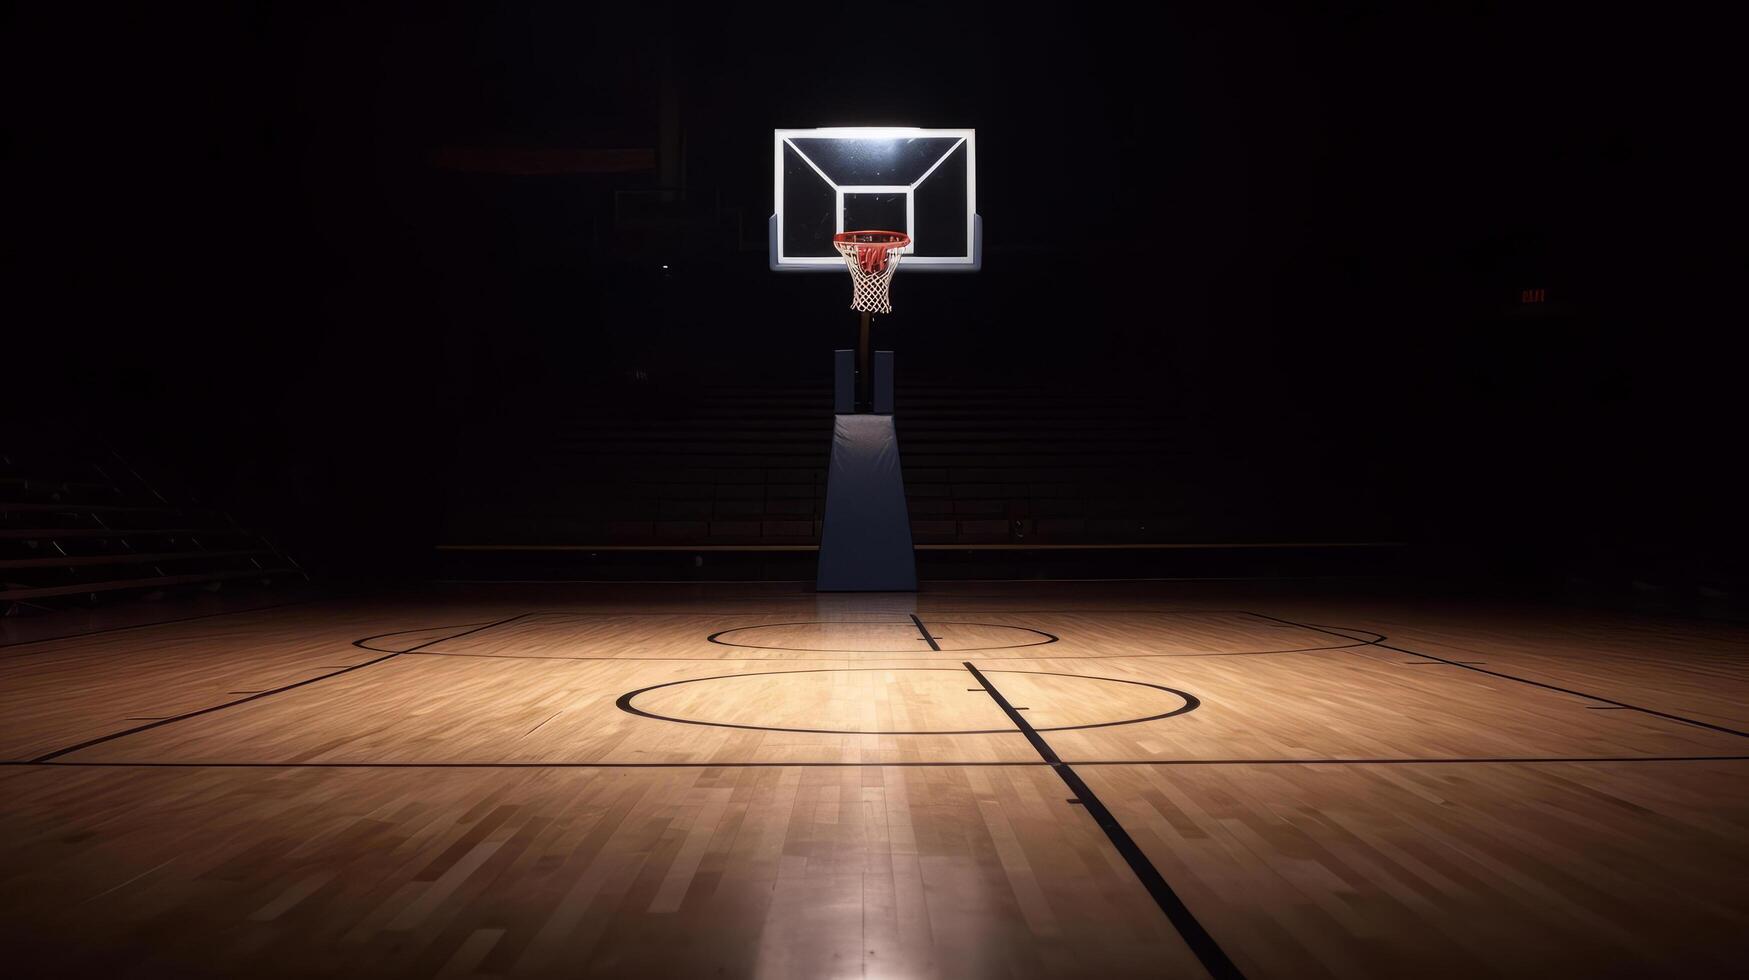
(80, 526)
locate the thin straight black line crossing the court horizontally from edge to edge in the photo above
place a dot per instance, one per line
(968, 764)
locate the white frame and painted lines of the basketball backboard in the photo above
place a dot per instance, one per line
(972, 262)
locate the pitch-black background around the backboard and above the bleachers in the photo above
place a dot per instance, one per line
(244, 244)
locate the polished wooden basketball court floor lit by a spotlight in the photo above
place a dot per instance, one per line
(977, 781)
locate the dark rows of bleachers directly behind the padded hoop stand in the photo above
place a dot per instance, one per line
(746, 468)
